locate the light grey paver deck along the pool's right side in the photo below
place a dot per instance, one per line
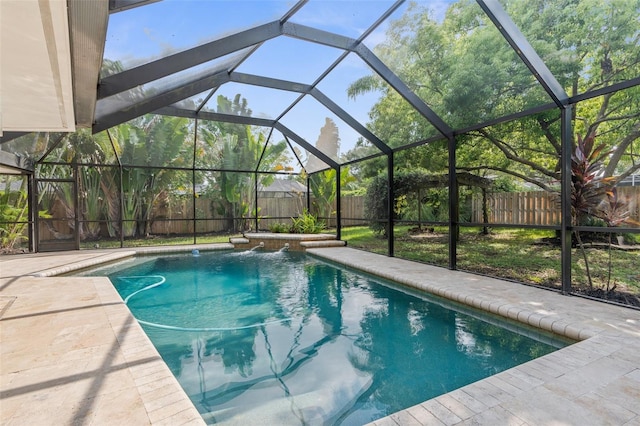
(507, 397)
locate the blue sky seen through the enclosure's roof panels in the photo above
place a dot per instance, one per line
(142, 34)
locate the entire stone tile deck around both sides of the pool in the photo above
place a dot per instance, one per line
(72, 353)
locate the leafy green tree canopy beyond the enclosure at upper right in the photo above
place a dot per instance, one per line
(464, 69)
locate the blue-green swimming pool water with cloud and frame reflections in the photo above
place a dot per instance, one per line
(284, 338)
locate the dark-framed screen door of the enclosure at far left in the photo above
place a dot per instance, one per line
(57, 219)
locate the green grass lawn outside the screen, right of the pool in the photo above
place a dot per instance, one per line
(516, 254)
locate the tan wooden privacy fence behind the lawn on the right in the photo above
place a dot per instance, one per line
(538, 207)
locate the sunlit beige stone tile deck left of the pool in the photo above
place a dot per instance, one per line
(72, 353)
